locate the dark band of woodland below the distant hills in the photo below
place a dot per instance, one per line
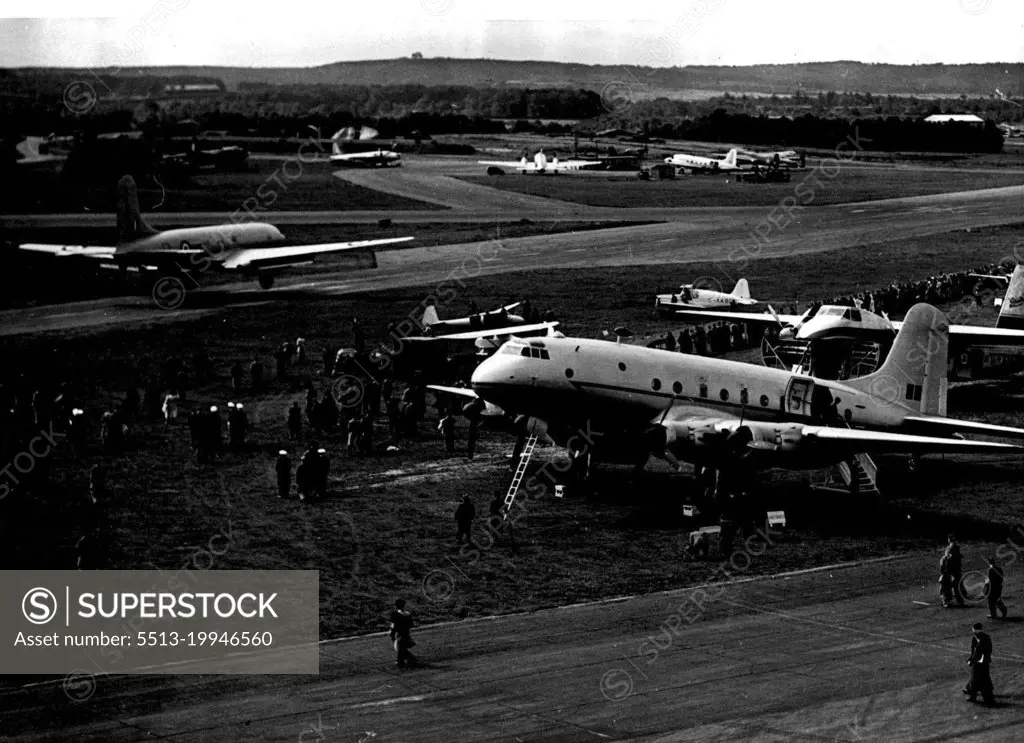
(34, 106)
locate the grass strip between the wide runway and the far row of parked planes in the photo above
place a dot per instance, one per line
(845, 185)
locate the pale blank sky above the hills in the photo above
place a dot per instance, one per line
(303, 33)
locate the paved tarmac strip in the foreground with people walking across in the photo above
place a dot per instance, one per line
(852, 653)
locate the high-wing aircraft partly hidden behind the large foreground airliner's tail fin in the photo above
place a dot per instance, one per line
(976, 353)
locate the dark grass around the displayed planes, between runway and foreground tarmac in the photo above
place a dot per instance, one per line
(388, 523)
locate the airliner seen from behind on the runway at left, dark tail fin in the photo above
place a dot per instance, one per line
(250, 249)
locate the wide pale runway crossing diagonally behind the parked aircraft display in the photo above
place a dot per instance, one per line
(726, 237)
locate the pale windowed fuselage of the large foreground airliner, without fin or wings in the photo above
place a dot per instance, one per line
(629, 386)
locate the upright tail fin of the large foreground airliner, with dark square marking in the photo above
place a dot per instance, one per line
(914, 375)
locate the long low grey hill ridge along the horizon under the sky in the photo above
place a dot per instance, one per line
(951, 80)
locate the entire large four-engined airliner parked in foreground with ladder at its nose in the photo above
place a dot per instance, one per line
(607, 401)
